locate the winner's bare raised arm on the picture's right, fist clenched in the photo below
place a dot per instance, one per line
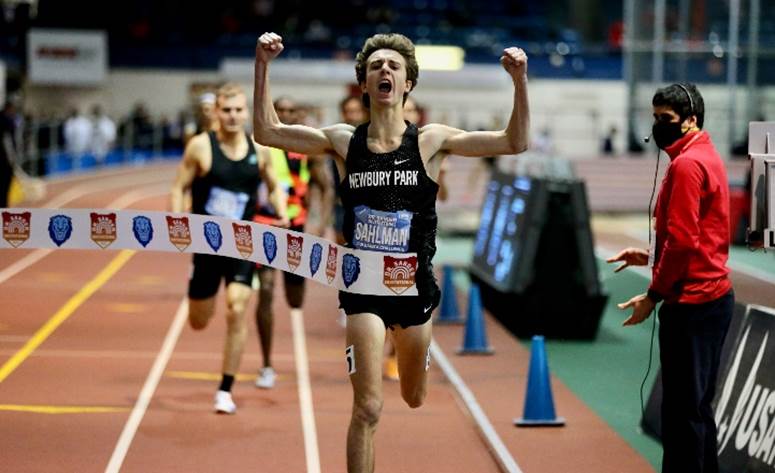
(512, 140)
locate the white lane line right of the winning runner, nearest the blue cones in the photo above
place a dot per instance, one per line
(497, 447)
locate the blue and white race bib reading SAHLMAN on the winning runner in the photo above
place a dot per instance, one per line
(382, 231)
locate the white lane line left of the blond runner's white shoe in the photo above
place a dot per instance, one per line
(144, 399)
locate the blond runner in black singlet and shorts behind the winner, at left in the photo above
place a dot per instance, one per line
(223, 169)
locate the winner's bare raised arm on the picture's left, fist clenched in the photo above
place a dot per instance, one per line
(268, 128)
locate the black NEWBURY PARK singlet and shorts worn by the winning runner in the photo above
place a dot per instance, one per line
(390, 205)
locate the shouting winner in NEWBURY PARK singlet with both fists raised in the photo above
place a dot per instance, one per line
(389, 179)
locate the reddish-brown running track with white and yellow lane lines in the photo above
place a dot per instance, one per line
(79, 349)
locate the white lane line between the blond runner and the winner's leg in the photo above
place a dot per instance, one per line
(305, 392)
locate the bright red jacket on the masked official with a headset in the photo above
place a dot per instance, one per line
(692, 225)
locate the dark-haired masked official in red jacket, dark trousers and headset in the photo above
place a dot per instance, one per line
(690, 247)
